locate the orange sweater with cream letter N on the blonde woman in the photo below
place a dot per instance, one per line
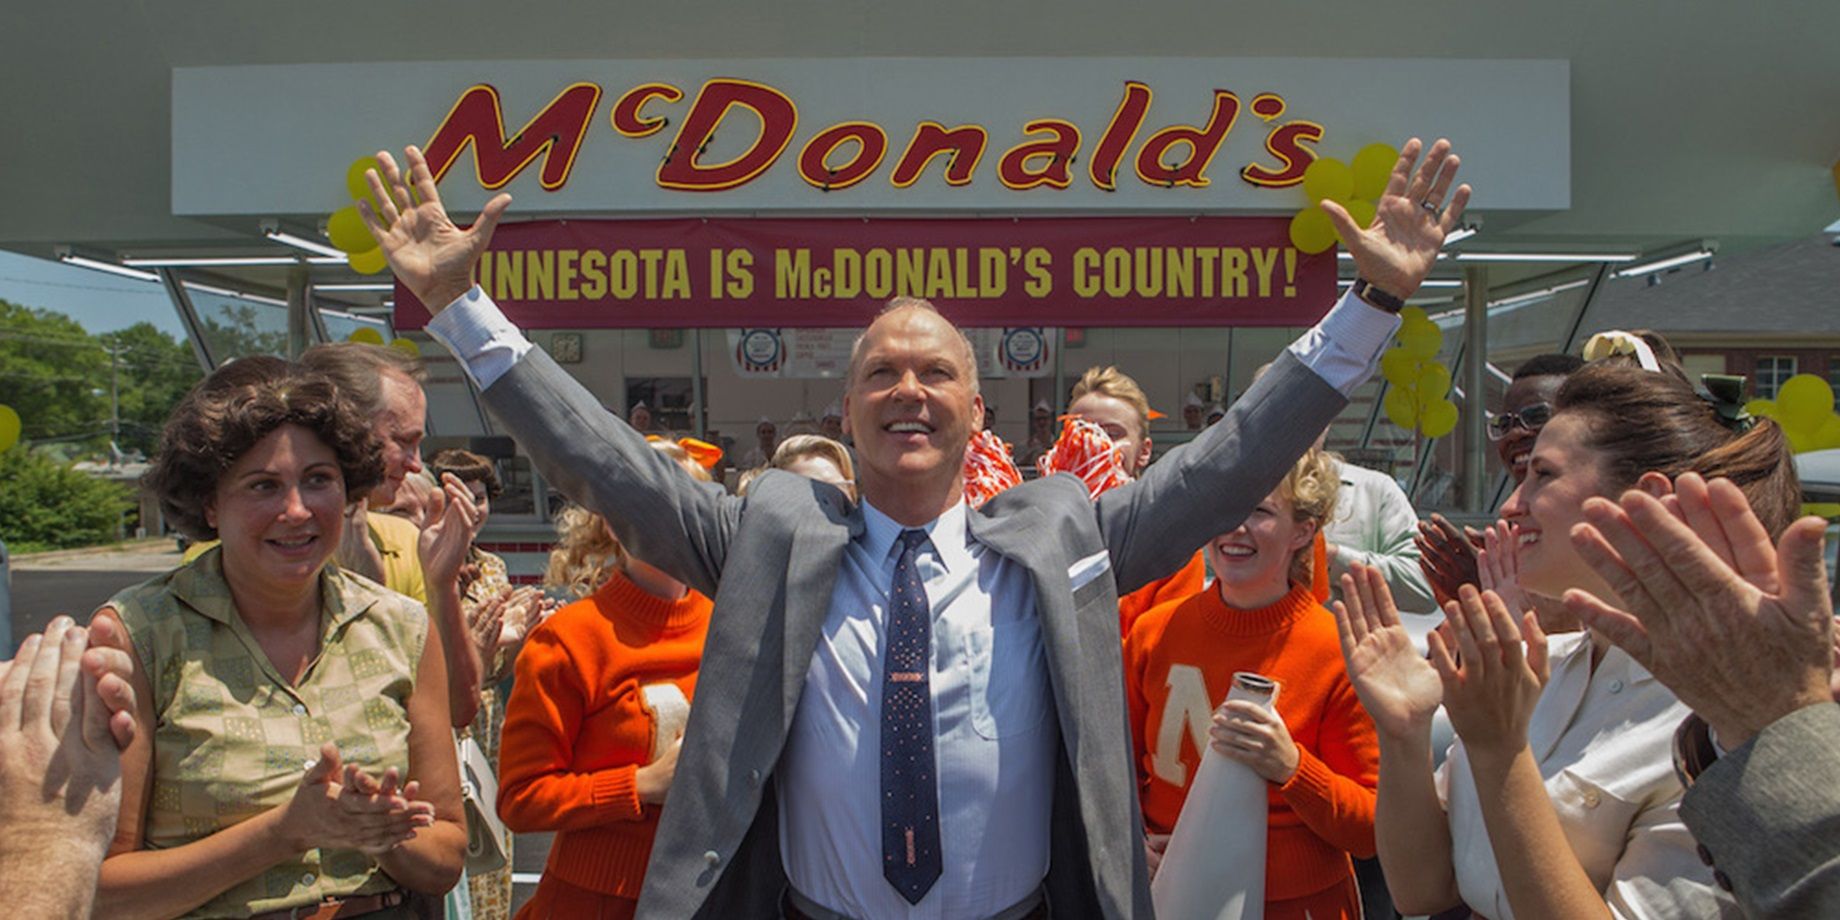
(1328, 809)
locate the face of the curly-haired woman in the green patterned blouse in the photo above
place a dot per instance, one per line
(281, 507)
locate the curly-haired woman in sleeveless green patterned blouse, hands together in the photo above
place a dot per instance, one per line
(293, 742)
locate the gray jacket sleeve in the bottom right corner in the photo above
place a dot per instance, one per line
(1769, 818)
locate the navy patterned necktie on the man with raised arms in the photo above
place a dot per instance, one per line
(910, 792)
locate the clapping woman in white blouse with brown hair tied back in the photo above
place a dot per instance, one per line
(1559, 798)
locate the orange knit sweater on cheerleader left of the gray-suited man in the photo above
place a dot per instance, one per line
(579, 728)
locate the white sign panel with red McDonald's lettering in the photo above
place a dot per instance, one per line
(860, 135)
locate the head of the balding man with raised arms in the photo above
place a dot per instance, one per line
(912, 406)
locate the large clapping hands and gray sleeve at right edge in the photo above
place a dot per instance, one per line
(1743, 632)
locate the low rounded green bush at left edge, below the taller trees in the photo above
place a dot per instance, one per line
(47, 505)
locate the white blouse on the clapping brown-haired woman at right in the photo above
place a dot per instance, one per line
(1604, 742)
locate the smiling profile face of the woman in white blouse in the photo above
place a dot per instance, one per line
(1563, 474)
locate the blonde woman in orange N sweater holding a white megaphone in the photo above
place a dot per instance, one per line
(1318, 752)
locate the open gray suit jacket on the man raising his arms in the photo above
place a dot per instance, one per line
(772, 562)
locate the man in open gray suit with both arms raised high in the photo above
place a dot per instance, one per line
(908, 707)
